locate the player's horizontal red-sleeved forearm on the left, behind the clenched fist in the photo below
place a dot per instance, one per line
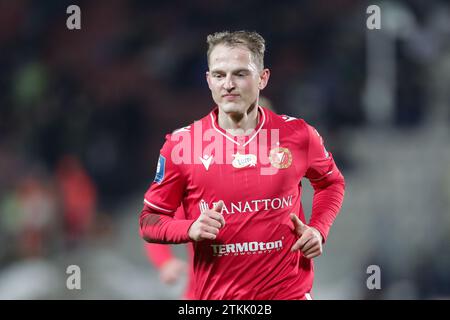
(159, 228)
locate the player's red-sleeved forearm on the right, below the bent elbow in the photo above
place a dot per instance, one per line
(327, 201)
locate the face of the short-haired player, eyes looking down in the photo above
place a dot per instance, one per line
(234, 78)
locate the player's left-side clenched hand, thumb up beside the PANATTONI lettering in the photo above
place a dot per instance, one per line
(208, 224)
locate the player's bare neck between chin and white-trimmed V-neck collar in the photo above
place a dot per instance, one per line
(238, 124)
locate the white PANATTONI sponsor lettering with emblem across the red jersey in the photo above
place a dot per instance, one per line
(251, 205)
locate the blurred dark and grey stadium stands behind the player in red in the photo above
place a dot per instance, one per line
(83, 114)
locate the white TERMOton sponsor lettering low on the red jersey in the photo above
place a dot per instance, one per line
(242, 248)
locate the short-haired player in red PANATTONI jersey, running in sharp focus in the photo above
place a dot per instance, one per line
(237, 173)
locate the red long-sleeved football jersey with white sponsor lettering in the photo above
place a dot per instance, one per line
(258, 177)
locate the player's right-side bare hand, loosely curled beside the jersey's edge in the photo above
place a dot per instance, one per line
(310, 242)
